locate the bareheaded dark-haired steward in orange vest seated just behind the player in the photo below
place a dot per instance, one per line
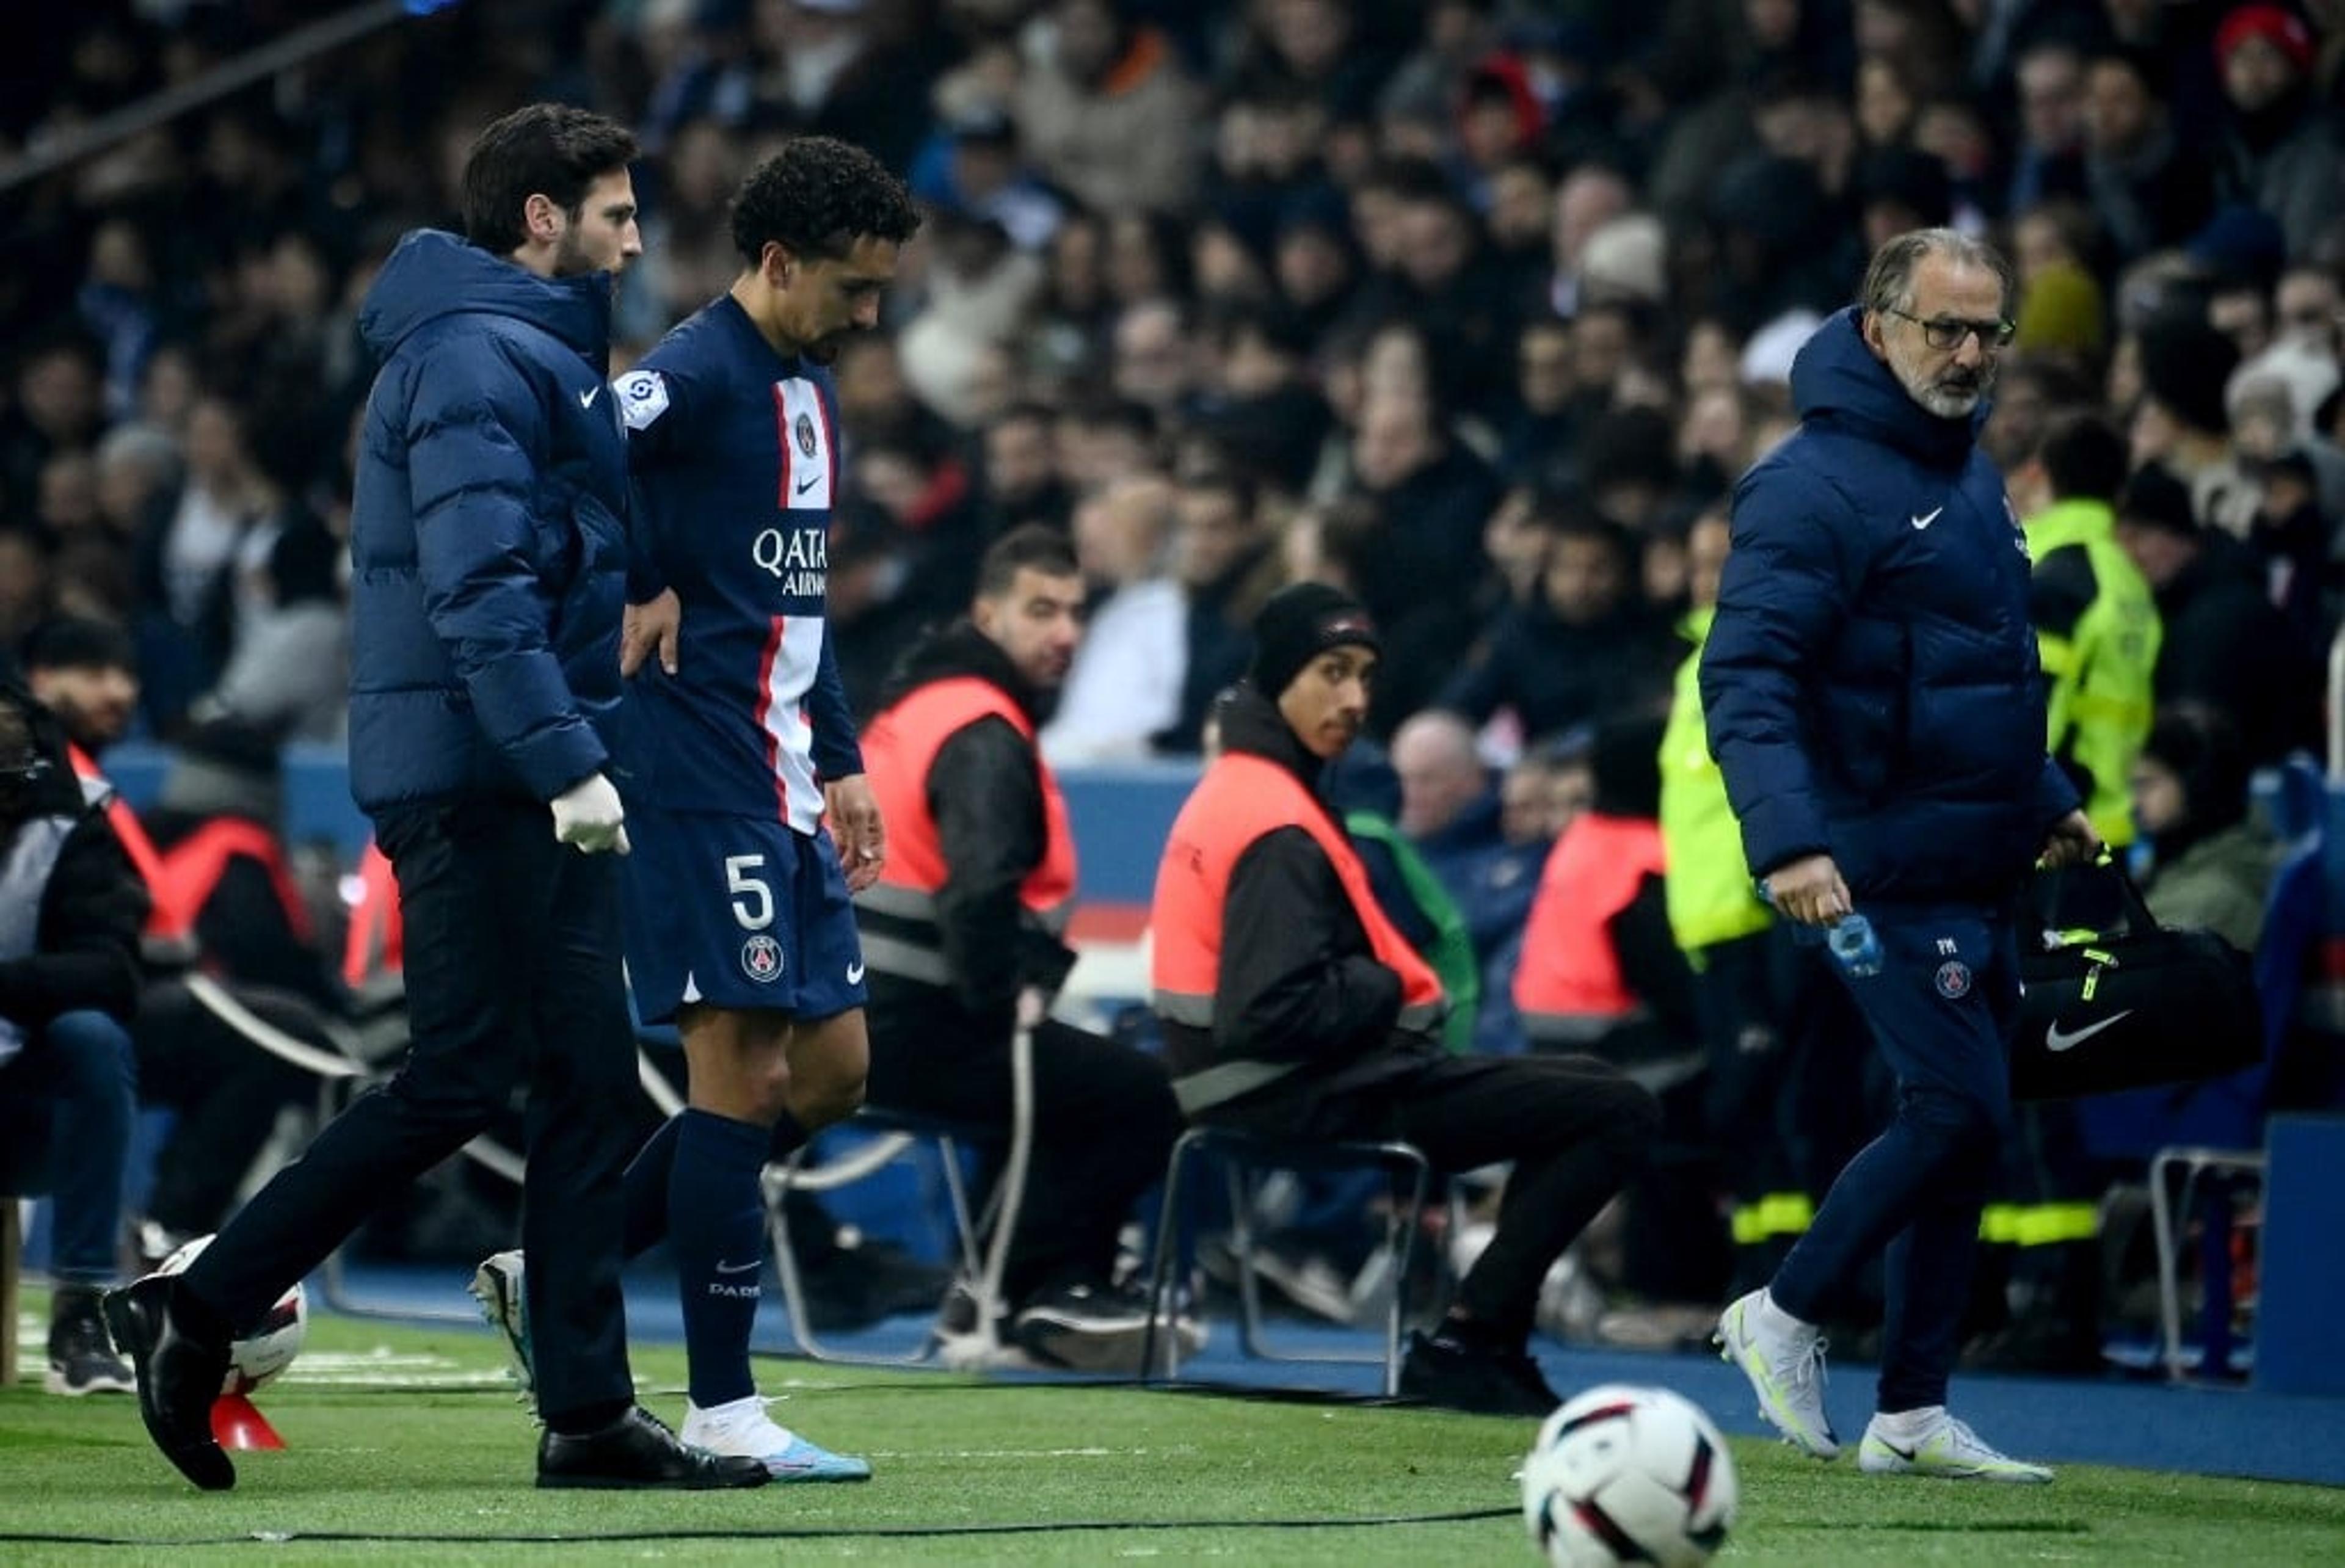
(963, 941)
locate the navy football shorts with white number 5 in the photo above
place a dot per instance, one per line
(738, 913)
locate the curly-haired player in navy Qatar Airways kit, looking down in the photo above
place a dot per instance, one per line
(738, 749)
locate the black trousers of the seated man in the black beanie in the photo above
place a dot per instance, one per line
(1575, 1129)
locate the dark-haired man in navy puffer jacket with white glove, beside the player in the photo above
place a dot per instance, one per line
(489, 540)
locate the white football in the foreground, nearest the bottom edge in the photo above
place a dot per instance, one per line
(1629, 1475)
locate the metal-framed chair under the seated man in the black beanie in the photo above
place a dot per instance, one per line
(1246, 1157)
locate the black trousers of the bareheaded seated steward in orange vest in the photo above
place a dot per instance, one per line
(1103, 1129)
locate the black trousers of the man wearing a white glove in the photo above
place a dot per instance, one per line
(512, 967)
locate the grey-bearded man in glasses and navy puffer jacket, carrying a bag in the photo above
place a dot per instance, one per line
(1875, 702)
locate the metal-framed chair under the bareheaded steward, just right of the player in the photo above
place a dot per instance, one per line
(977, 1260)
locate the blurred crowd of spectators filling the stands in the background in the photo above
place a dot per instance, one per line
(1469, 308)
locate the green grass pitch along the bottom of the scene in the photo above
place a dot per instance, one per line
(405, 1447)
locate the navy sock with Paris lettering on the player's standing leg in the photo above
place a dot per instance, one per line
(716, 1227)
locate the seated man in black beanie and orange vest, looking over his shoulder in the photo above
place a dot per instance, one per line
(1293, 1009)
